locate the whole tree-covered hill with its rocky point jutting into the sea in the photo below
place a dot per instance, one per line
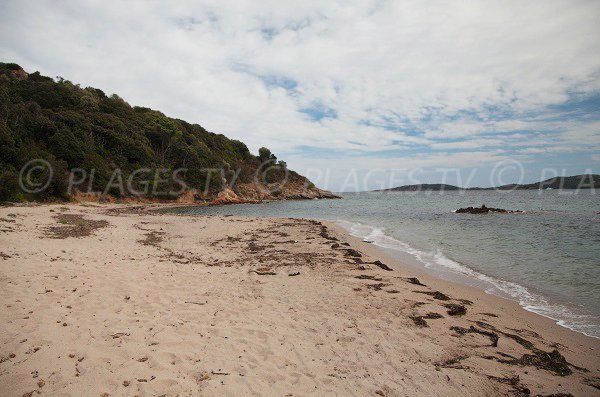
(107, 142)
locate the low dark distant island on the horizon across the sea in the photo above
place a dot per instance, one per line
(590, 181)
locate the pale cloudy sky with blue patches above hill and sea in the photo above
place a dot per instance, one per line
(357, 95)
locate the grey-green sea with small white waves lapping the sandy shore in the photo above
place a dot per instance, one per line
(546, 258)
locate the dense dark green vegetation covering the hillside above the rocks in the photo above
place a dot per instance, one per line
(83, 128)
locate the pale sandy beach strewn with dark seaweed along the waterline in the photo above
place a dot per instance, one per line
(118, 300)
